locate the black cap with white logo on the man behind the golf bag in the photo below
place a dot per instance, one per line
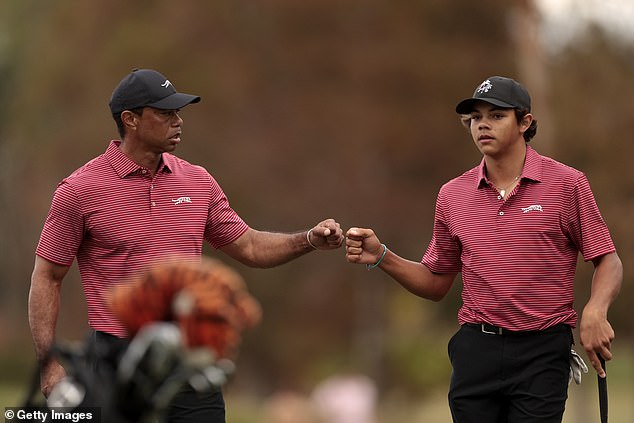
(147, 87)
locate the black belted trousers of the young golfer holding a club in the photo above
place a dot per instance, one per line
(509, 378)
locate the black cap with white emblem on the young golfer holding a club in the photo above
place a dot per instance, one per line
(499, 91)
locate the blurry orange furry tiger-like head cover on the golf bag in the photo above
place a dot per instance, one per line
(208, 301)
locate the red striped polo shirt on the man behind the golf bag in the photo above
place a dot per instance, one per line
(117, 220)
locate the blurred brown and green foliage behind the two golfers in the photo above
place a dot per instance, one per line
(311, 109)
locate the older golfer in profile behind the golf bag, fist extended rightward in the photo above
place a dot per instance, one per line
(137, 205)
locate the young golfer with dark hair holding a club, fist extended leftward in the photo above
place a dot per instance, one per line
(513, 226)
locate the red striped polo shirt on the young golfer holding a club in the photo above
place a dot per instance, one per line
(517, 256)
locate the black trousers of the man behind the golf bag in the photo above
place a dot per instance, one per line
(188, 405)
